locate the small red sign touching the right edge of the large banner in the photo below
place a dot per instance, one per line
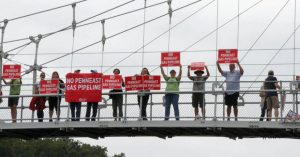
(111, 81)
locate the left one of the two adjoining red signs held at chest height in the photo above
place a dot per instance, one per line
(133, 83)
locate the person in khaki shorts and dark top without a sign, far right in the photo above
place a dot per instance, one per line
(271, 84)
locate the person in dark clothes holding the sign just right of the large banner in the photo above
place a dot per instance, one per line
(117, 99)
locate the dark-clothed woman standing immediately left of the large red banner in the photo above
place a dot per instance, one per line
(54, 101)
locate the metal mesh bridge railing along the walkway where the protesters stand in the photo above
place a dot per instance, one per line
(249, 108)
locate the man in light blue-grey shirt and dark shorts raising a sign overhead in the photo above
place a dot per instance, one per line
(232, 79)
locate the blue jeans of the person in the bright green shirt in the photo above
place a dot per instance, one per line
(171, 99)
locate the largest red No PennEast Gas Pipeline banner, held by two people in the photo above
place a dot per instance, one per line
(83, 87)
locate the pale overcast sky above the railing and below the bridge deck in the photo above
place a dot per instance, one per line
(251, 25)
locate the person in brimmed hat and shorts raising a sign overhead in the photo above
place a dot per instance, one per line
(198, 86)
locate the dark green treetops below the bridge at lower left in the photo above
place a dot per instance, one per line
(50, 148)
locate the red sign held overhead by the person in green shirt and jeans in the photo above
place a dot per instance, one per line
(170, 59)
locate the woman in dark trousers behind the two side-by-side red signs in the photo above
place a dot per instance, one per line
(143, 98)
